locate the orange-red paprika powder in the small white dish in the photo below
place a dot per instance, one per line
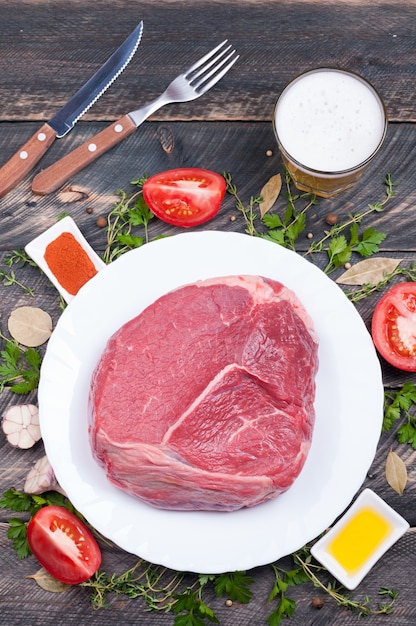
(68, 261)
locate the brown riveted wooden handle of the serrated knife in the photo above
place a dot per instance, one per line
(25, 158)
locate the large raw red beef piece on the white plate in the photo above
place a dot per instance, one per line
(204, 401)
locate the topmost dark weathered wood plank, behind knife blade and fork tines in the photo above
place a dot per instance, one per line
(48, 49)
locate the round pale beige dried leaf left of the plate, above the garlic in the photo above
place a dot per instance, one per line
(30, 326)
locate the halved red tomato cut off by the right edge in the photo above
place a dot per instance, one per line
(393, 326)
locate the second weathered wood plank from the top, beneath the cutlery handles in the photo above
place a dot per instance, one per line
(239, 148)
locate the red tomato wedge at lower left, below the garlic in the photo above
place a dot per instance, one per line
(63, 545)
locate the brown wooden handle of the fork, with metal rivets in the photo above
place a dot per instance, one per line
(51, 178)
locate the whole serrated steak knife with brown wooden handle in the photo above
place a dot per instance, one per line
(20, 164)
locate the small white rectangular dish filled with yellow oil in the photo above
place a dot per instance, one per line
(356, 542)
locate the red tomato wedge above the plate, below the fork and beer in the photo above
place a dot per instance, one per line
(185, 196)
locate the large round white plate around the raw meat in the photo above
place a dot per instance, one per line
(349, 407)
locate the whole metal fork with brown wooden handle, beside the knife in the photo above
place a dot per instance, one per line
(192, 84)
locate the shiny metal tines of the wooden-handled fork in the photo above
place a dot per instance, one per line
(203, 74)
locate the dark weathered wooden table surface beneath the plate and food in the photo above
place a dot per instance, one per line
(48, 49)
